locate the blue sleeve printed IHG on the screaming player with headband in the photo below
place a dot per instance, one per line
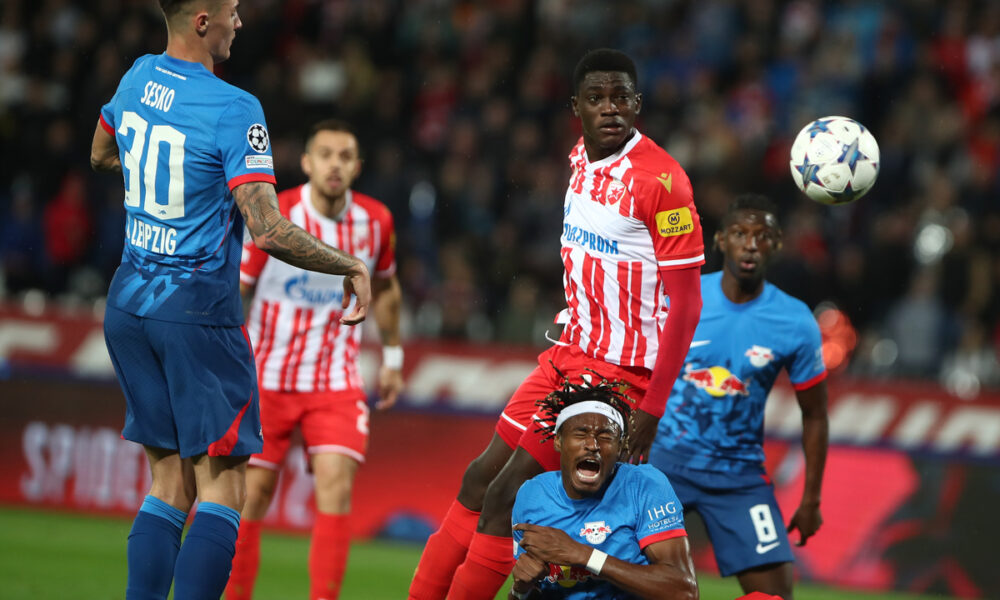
(661, 515)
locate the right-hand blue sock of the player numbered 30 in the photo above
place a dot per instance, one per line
(203, 564)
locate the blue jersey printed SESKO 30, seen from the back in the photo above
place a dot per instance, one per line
(186, 139)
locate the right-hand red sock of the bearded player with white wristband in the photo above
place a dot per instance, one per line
(331, 542)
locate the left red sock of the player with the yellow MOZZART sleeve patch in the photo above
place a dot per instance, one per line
(444, 551)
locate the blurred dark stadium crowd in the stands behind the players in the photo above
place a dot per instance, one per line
(462, 107)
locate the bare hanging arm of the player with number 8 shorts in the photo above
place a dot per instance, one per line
(815, 439)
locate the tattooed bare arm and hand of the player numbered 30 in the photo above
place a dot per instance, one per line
(284, 240)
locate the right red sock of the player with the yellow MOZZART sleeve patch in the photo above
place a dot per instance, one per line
(489, 562)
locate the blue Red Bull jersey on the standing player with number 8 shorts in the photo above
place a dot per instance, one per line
(715, 415)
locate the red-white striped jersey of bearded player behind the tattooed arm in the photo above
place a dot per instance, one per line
(299, 343)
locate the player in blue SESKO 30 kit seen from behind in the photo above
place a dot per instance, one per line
(196, 164)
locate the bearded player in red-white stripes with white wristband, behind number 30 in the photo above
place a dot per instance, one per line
(307, 360)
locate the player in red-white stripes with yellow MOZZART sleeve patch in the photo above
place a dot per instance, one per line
(631, 235)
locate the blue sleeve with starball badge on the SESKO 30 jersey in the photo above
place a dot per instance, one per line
(244, 142)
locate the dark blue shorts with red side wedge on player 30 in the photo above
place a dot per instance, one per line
(190, 388)
